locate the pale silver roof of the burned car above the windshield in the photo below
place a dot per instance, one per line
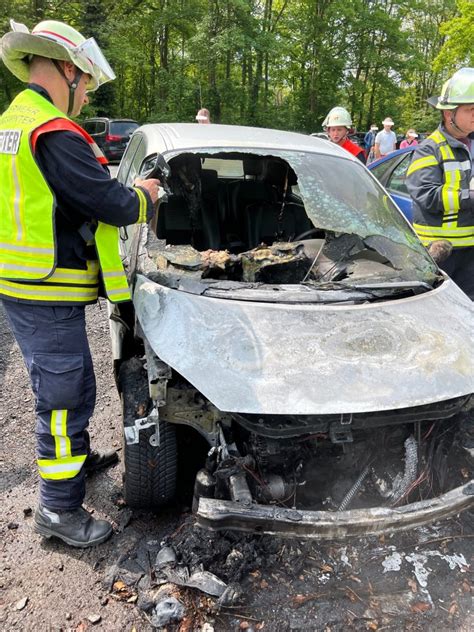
(192, 136)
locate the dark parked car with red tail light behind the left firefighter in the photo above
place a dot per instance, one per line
(112, 135)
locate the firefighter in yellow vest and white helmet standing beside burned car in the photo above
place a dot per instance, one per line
(59, 250)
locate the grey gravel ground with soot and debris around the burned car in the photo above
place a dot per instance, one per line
(418, 581)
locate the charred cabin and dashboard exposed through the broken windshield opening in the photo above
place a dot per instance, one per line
(248, 220)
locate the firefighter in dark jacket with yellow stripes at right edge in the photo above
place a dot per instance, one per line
(440, 180)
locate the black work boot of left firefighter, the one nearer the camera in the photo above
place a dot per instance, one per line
(75, 527)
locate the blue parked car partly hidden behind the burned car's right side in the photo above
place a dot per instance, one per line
(391, 171)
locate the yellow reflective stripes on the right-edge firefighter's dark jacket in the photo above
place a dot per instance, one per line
(460, 237)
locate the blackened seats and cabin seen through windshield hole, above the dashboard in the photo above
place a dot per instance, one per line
(234, 214)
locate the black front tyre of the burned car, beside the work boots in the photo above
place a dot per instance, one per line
(150, 471)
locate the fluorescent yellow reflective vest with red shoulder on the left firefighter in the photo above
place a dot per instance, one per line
(28, 248)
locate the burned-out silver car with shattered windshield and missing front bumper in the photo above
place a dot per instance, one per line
(286, 317)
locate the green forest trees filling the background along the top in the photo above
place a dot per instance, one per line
(276, 63)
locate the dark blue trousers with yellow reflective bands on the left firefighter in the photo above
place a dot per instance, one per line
(56, 351)
